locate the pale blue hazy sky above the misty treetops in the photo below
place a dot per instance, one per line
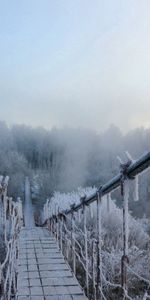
(75, 63)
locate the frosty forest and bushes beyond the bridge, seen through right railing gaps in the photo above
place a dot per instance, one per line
(63, 166)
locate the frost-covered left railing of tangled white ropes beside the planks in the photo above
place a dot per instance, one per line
(10, 223)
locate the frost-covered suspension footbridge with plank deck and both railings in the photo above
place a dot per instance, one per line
(48, 262)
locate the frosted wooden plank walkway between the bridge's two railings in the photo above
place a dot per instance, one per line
(43, 273)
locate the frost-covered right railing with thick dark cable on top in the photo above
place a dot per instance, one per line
(81, 240)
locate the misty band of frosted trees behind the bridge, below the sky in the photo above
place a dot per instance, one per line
(64, 159)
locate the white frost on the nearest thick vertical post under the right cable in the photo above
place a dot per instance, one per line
(126, 216)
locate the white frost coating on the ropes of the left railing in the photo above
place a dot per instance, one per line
(8, 266)
